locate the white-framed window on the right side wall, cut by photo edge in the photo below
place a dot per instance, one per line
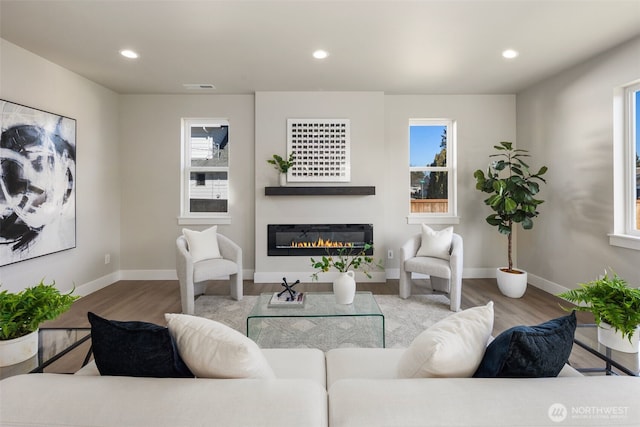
(627, 167)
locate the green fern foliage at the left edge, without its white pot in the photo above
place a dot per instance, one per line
(22, 313)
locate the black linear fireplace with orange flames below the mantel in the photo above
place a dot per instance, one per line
(317, 239)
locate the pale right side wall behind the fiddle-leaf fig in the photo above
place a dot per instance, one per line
(567, 124)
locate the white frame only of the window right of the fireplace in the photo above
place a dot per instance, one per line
(451, 216)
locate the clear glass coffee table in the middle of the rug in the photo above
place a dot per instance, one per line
(320, 323)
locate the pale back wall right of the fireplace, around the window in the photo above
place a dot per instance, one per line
(481, 121)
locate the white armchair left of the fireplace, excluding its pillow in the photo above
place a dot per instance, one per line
(193, 275)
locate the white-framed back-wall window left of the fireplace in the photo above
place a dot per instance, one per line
(205, 169)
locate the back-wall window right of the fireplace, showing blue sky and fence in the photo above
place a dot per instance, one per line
(432, 169)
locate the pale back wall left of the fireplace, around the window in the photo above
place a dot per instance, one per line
(150, 158)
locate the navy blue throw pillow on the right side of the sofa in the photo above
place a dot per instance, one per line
(529, 351)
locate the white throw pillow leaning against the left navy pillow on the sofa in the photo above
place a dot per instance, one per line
(213, 350)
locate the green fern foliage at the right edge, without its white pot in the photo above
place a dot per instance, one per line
(611, 301)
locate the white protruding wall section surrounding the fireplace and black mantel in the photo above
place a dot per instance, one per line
(365, 110)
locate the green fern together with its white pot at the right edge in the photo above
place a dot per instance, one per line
(615, 307)
